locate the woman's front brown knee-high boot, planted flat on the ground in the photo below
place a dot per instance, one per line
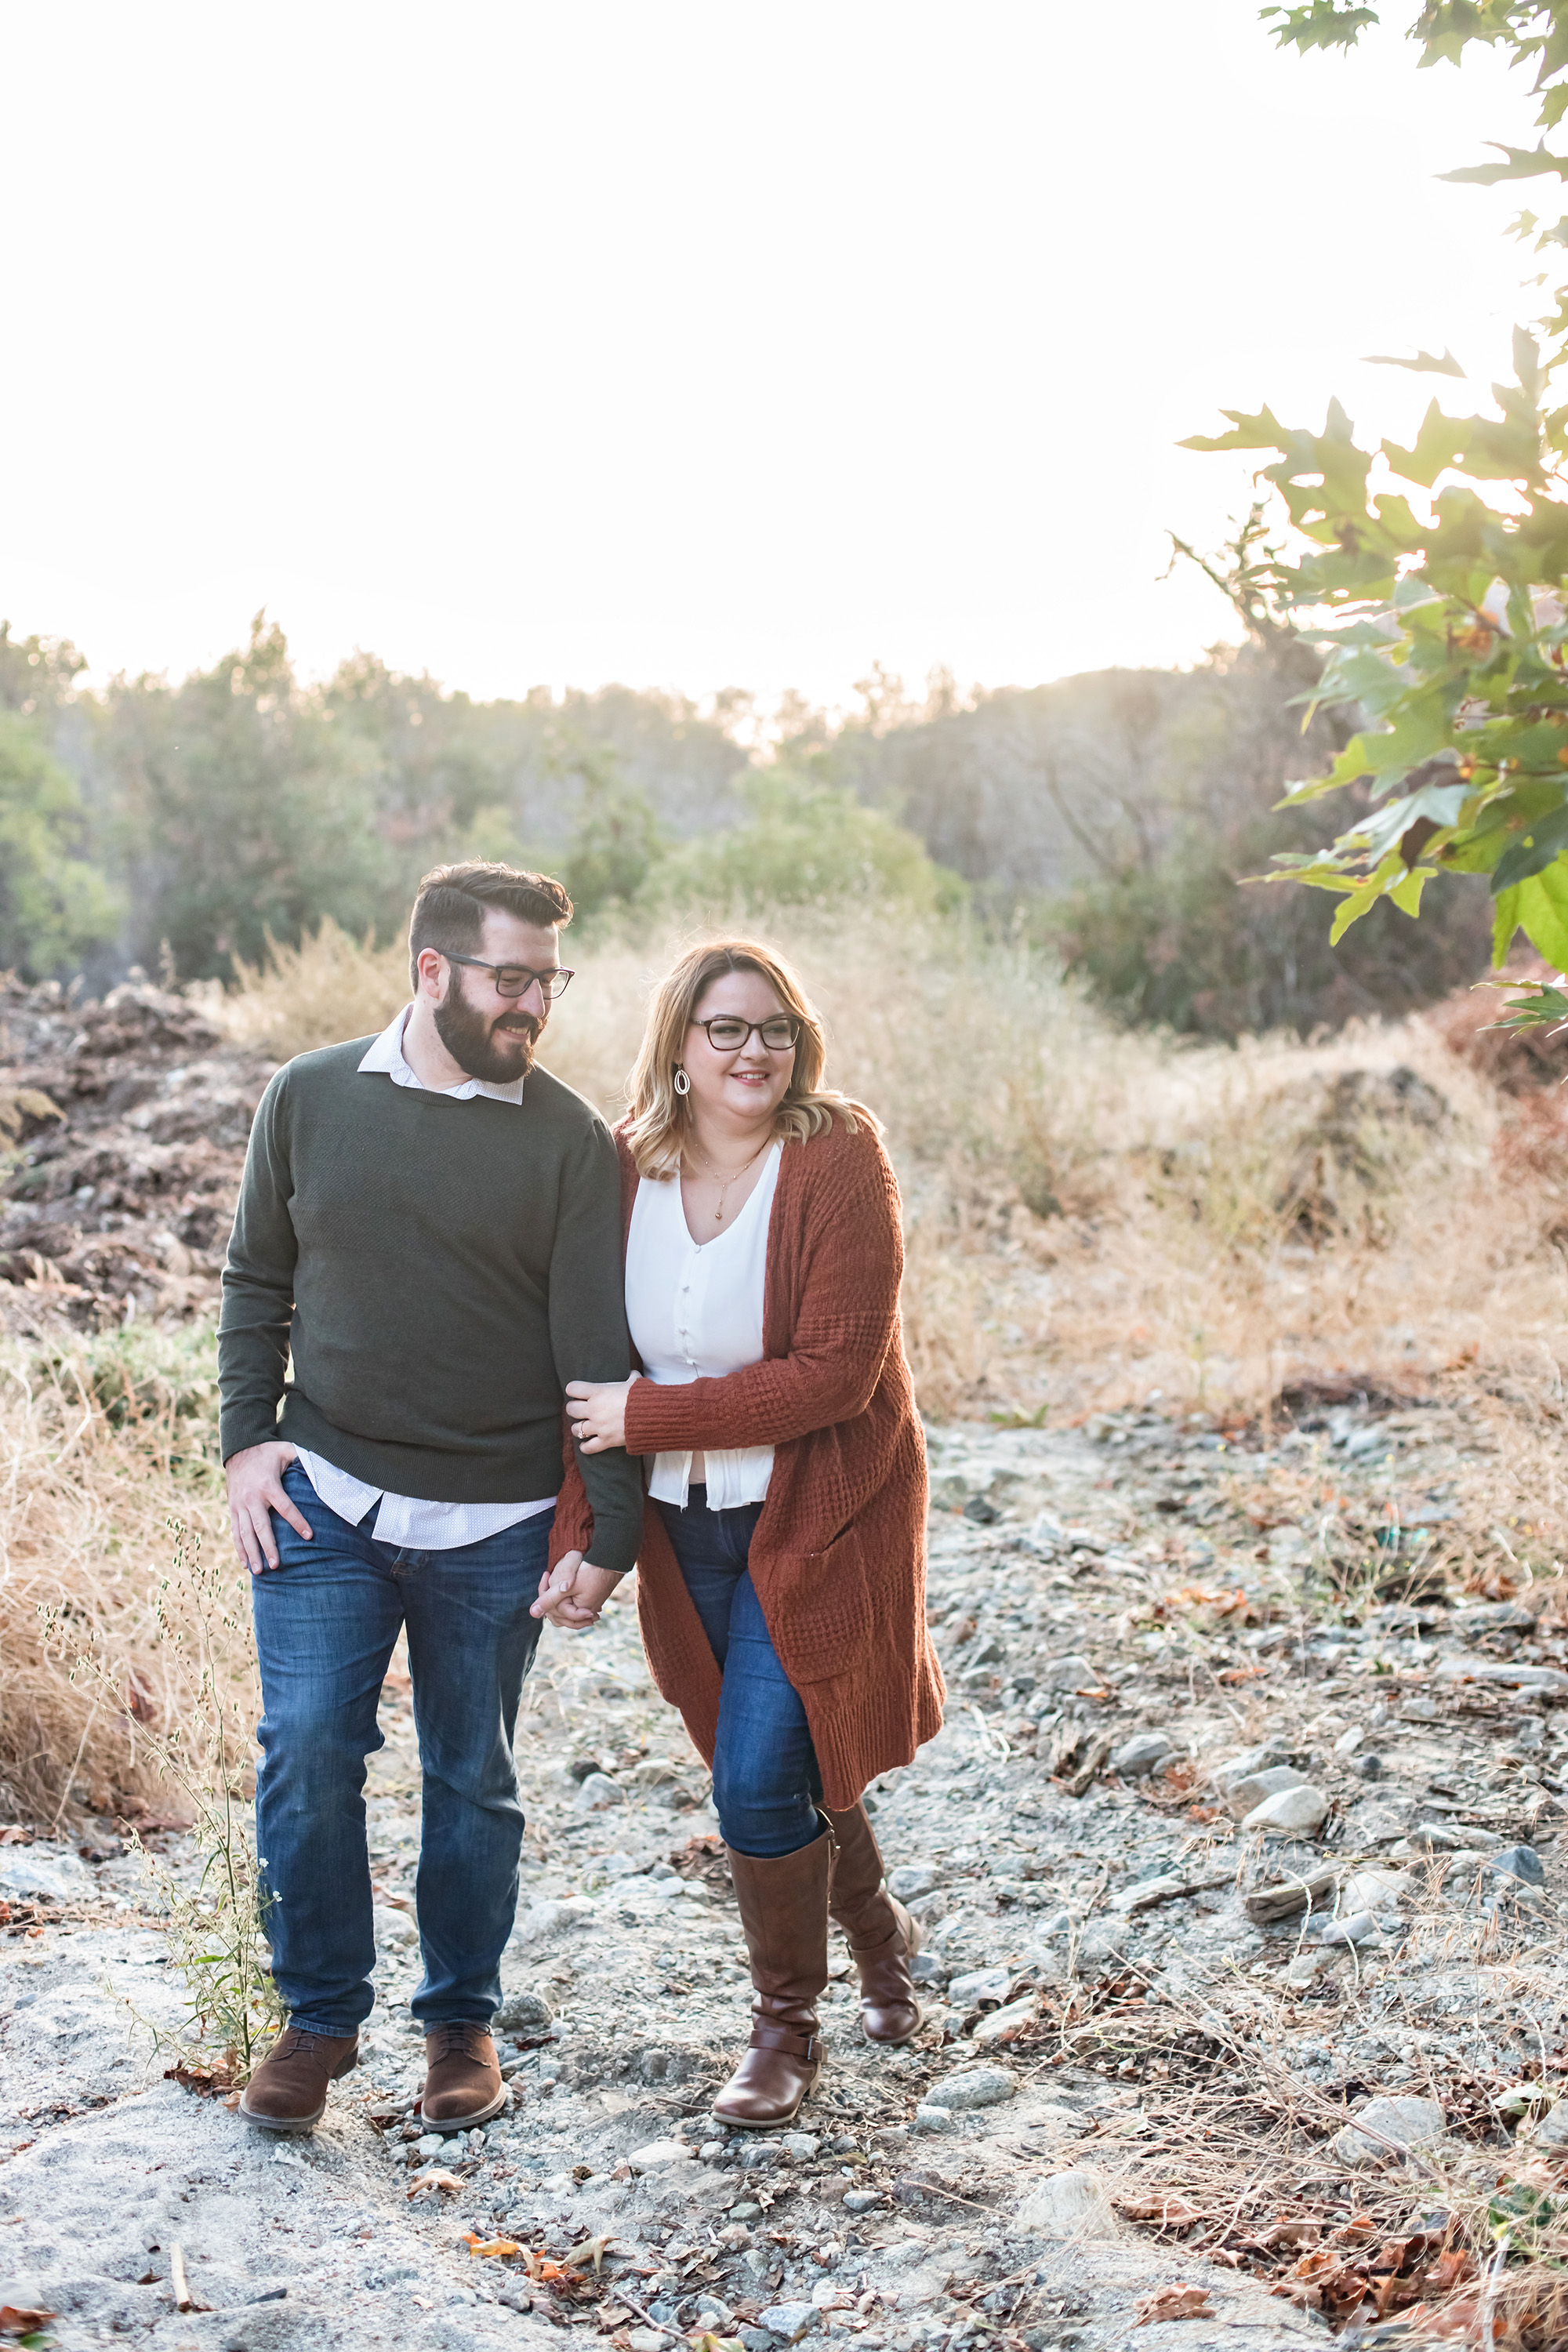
(784, 1911)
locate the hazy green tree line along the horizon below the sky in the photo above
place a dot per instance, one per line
(1108, 820)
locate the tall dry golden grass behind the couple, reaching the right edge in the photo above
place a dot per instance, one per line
(1092, 1212)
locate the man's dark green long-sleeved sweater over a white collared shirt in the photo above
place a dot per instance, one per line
(436, 1271)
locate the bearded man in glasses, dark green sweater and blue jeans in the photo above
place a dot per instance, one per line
(427, 1250)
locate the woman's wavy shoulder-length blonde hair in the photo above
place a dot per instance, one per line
(662, 1116)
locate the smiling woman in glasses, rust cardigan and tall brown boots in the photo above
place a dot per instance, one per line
(784, 1553)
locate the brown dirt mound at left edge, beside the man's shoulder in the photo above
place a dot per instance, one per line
(123, 1130)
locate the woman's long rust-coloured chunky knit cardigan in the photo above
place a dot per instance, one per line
(840, 1549)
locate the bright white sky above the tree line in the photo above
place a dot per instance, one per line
(697, 342)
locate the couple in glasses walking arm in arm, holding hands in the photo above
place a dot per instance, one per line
(478, 1361)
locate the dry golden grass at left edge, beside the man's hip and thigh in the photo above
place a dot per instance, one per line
(100, 1452)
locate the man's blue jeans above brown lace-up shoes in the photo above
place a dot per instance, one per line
(326, 1626)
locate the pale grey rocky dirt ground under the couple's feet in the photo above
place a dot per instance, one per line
(1245, 1829)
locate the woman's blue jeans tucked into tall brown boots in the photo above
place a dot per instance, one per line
(765, 1779)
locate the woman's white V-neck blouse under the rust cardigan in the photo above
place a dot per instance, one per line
(697, 1314)
